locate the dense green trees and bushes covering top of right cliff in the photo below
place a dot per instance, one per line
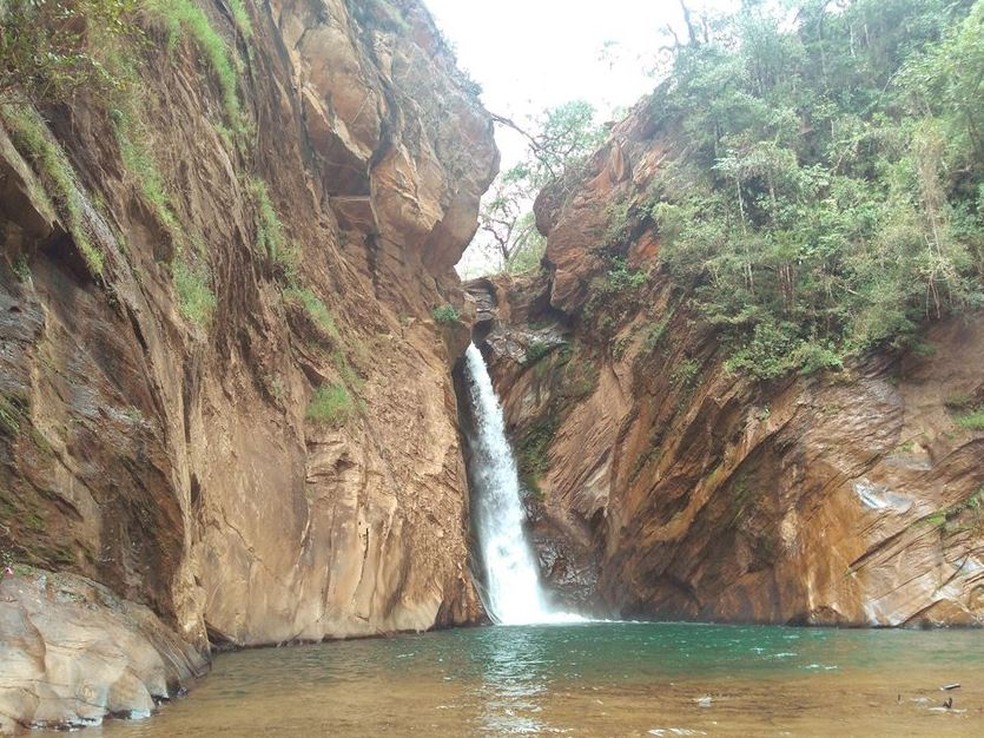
(828, 195)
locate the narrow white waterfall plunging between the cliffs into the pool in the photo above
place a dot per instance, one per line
(512, 594)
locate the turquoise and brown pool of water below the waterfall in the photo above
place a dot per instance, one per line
(595, 679)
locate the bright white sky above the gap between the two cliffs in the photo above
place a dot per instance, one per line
(530, 55)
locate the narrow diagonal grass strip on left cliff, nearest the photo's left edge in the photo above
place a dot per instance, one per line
(31, 137)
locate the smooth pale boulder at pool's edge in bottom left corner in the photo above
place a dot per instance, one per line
(73, 653)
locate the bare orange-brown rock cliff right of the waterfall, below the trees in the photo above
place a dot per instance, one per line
(665, 487)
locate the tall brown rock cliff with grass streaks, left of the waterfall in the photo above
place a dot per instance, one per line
(222, 393)
